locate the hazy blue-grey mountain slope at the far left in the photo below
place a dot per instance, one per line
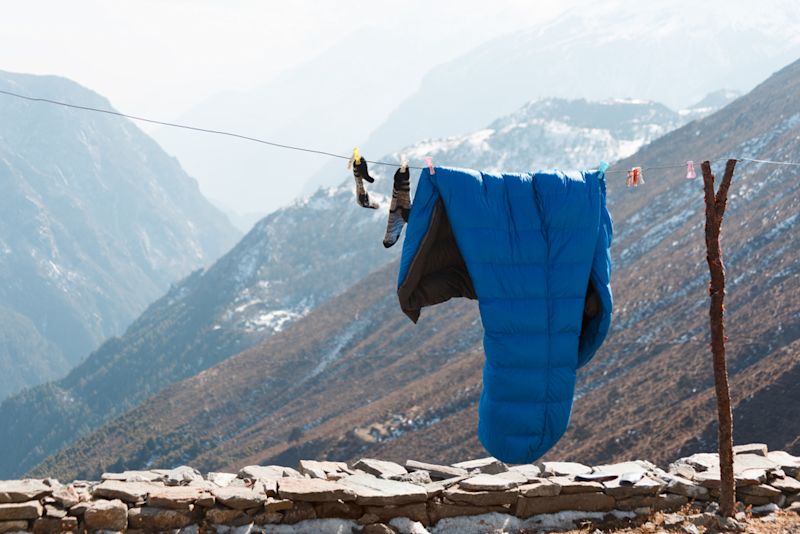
(97, 222)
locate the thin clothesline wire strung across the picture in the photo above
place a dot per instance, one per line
(306, 149)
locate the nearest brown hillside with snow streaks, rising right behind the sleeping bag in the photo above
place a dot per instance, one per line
(355, 377)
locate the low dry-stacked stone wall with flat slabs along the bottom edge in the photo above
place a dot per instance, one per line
(370, 495)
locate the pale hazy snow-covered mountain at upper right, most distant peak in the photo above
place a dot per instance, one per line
(671, 52)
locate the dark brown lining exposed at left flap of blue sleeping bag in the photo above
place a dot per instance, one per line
(437, 272)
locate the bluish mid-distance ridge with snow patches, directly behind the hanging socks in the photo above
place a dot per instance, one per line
(293, 260)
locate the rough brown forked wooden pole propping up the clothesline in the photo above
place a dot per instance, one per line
(715, 209)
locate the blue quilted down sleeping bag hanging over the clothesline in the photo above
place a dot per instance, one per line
(534, 250)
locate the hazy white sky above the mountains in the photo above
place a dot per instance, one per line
(159, 57)
